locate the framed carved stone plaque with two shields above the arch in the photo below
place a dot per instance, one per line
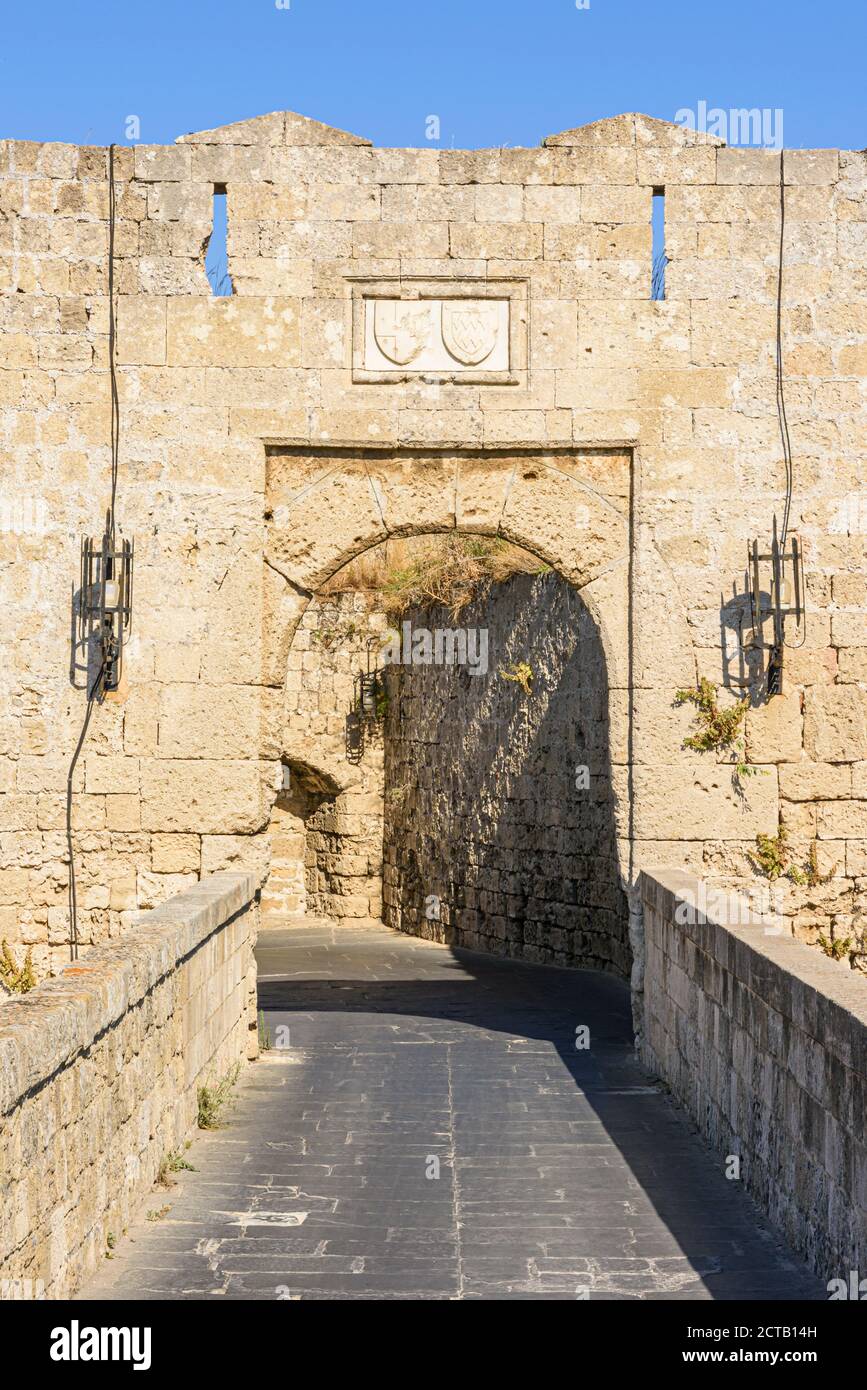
(443, 336)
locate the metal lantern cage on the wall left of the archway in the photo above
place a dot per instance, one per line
(106, 601)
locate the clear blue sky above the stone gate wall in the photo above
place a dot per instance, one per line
(495, 72)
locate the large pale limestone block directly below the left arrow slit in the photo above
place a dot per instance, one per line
(234, 333)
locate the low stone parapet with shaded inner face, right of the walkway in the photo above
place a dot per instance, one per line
(765, 1042)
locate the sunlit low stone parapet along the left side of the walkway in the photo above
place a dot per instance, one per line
(99, 1072)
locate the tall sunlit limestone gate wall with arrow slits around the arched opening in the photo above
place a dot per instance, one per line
(633, 444)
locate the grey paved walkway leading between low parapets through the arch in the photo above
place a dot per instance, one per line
(562, 1172)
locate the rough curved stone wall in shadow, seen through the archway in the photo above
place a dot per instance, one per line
(499, 807)
